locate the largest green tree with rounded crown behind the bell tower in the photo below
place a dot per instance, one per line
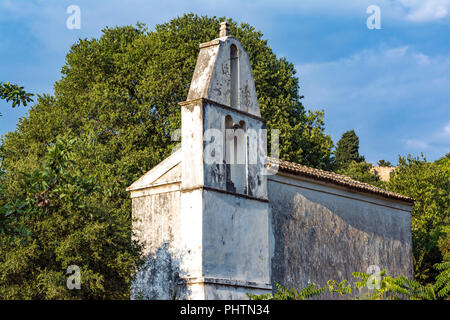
(122, 91)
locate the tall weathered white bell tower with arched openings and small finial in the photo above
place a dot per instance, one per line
(224, 202)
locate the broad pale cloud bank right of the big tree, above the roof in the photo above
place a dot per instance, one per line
(394, 97)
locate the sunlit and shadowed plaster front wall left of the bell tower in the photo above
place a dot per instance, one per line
(156, 224)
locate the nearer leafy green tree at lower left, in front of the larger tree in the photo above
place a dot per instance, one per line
(62, 218)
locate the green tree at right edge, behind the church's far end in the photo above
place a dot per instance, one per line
(429, 184)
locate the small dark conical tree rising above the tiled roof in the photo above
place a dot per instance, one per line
(347, 150)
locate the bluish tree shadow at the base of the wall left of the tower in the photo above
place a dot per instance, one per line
(159, 277)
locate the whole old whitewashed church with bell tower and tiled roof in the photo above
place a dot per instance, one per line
(219, 218)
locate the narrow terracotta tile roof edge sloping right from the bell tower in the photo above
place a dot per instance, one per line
(339, 179)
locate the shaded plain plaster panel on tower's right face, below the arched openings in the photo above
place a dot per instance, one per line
(235, 238)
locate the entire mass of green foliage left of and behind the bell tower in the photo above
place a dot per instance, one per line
(118, 96)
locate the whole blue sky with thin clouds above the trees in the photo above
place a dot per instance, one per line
(392, 85)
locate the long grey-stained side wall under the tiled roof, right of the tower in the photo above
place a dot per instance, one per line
(322, 233)
